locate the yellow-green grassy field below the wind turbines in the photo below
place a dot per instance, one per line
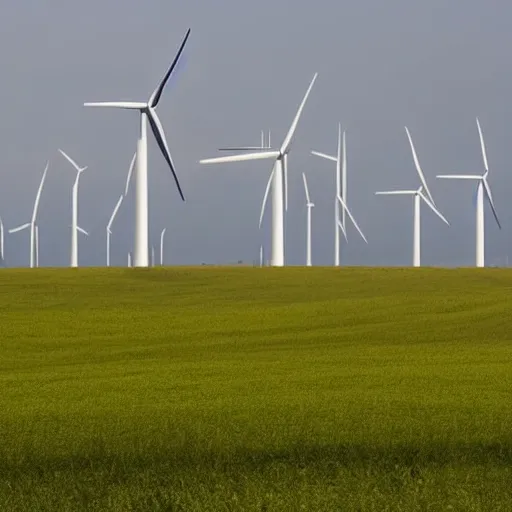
(198, 389)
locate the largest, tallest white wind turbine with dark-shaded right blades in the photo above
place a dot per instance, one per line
(147, 113)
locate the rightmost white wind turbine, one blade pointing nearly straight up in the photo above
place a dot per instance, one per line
(482, 188)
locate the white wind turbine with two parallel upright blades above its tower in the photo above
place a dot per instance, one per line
(341, 189)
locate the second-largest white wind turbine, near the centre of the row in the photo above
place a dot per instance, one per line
(276, 178)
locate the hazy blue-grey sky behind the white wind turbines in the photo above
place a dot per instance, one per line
(382, 64)
